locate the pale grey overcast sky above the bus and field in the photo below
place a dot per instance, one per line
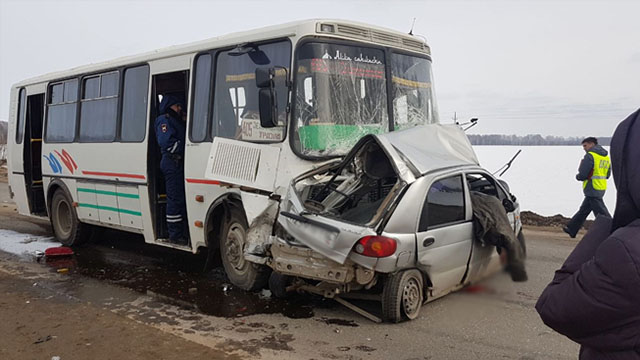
(551, 67)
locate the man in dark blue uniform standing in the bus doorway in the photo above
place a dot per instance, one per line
(170, 132)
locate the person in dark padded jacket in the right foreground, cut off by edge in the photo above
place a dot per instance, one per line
(594, 299)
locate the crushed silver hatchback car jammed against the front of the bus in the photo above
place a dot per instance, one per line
(392, 219)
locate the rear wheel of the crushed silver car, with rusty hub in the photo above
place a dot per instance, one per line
(402, 296)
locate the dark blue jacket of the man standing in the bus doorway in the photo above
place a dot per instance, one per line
(170, 129)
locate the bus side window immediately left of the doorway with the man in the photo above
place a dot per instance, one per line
(134, 103)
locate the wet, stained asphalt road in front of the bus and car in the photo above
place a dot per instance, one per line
(121, 275)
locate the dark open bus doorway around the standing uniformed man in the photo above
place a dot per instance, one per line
(177, 84)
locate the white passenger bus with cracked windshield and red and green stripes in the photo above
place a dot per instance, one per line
(263, 107)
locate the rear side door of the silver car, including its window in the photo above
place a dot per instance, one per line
(445, 233)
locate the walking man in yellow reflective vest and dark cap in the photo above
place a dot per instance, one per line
(594, 171)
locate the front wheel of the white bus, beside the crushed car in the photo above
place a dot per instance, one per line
(241, 273)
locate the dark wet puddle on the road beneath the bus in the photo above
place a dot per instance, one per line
(149, 269)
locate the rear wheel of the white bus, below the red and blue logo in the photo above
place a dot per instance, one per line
(64, 220)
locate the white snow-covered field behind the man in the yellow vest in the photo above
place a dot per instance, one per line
(543, 177)
